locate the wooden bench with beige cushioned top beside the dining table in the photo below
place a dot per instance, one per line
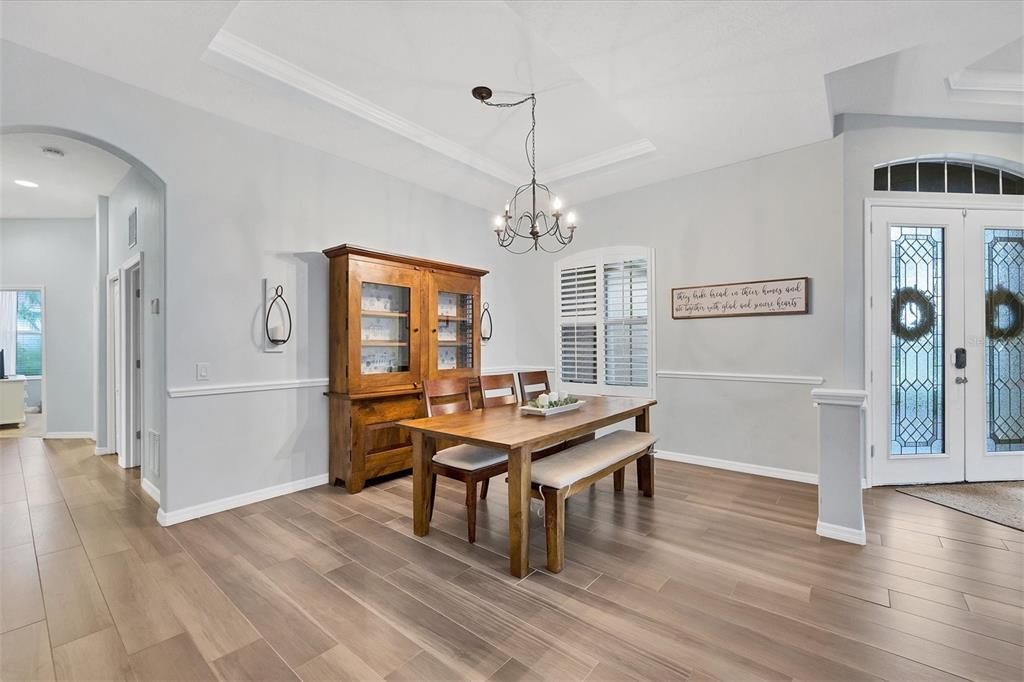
(561, 477)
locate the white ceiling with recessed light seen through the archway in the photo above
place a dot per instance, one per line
(68, 186)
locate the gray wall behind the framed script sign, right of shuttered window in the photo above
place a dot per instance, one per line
(778, 217)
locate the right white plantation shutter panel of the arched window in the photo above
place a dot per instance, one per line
(627, 352)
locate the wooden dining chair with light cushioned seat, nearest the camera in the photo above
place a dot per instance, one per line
(471, 464)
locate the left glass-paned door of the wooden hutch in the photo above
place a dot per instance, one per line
(385, 348)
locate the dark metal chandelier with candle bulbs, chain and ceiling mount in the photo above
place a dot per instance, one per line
(540, 230)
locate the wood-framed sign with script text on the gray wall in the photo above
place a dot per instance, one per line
(764, 297)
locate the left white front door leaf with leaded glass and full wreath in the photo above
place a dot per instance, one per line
(917, 309)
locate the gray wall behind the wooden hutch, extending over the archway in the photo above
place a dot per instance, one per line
(243, 205)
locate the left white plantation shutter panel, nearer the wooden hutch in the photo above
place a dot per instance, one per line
(578, 314)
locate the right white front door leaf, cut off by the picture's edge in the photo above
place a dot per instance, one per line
(995, 352)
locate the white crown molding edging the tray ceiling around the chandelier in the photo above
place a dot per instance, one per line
(237, 51)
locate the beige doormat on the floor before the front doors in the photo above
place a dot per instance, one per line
(1001, 503)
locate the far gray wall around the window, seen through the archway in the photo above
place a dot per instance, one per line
(60, 255)
